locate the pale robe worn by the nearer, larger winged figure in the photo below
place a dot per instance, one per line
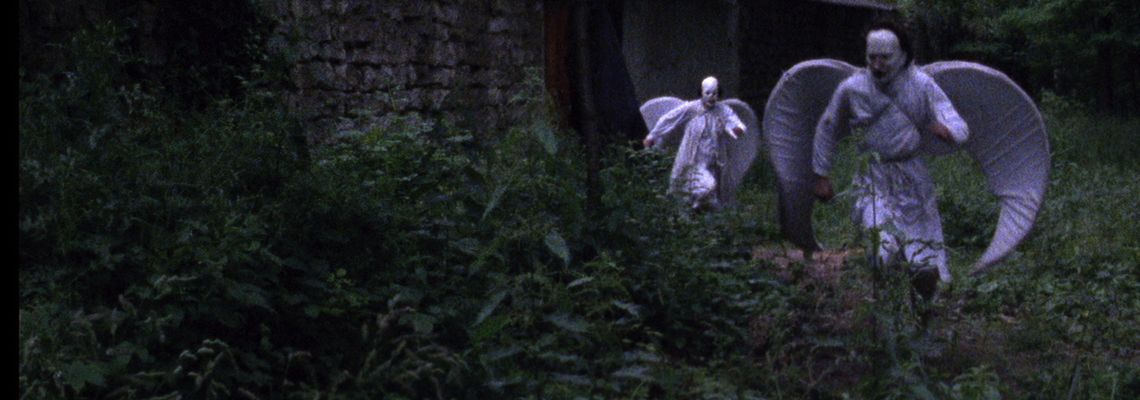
(897, 195)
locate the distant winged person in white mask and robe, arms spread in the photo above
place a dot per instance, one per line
(719, 141)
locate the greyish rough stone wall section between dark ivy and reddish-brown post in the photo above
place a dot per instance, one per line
(356, 64)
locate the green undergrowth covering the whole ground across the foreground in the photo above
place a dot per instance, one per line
(203, 254)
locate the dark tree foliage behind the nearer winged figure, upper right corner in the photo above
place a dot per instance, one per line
(1085, 50)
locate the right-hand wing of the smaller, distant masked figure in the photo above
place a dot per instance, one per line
(740, 152)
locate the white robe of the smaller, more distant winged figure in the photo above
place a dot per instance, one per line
(702, 156)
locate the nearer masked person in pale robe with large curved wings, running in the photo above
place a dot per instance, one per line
(905, 113)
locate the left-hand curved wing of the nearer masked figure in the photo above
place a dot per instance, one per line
(791, 117)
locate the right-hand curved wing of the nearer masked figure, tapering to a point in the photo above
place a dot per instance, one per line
(1007, 140)
